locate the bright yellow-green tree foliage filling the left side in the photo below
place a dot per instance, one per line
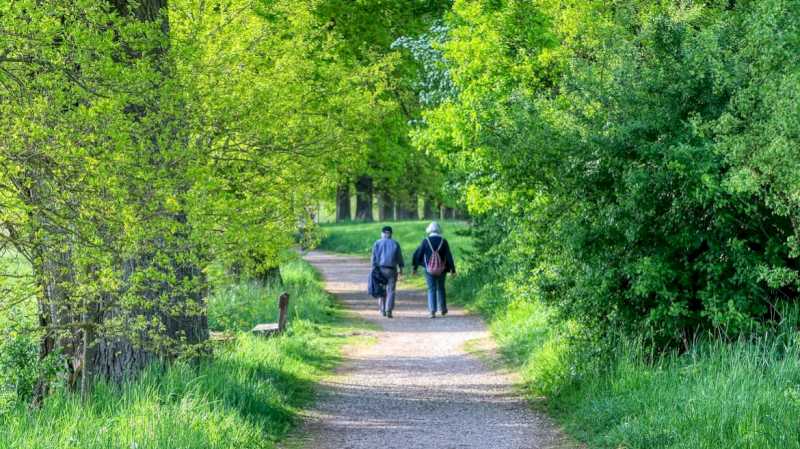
(142, 144)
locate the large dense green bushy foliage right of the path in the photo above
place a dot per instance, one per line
(632, 160)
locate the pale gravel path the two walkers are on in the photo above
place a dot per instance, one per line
(417, 387)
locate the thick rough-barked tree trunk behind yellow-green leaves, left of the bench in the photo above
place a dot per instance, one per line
(174, 310)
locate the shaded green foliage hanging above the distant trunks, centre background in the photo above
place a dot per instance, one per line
(366, 32)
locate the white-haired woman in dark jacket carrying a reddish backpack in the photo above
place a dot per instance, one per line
(434, 254)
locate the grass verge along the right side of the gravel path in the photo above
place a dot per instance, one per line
(719, 395)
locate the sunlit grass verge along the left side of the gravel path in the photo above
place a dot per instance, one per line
(246, 395)
